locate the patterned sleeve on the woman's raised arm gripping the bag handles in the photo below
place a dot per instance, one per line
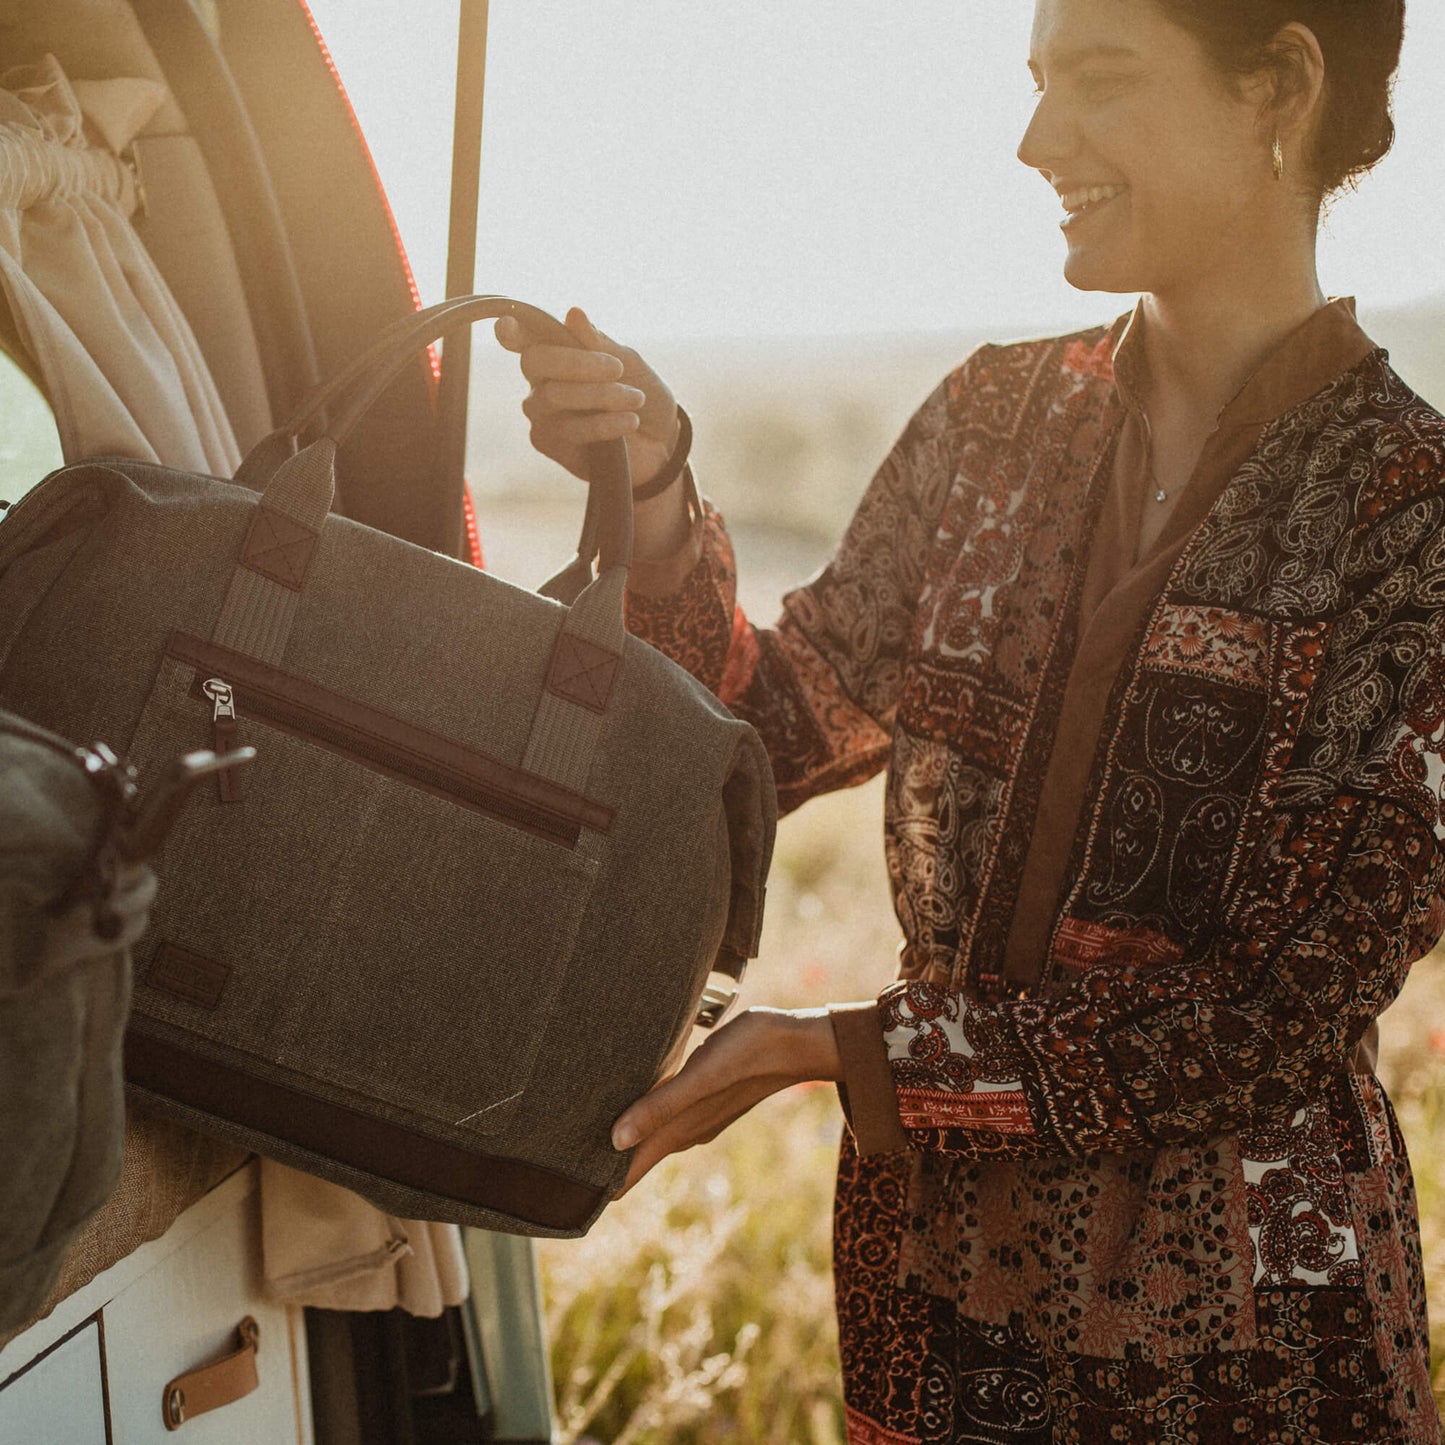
(821, 687)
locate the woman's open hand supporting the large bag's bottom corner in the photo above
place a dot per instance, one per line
(758, 1054)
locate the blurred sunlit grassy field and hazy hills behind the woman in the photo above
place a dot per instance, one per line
(700, 1310)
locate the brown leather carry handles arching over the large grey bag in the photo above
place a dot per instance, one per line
(608, 525)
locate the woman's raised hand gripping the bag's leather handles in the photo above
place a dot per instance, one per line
(593, 394)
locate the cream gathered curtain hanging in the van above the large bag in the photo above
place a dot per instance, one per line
(119, 363)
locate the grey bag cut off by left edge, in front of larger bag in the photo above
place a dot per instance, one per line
(66, 928)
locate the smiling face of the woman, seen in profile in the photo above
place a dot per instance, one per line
(1160, 163)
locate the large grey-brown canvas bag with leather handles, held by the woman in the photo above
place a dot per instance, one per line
(469, 898)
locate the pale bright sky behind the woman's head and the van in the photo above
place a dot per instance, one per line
(684, 168)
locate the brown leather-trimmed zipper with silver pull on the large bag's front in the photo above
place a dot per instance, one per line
(384, 743)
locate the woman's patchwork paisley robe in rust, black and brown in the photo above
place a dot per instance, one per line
(1164, 839)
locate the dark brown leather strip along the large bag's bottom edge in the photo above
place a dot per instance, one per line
(359, 1141)
